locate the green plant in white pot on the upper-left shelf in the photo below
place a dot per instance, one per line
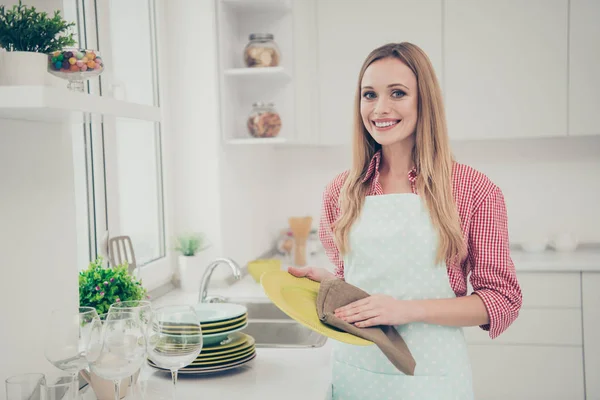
(27, 36)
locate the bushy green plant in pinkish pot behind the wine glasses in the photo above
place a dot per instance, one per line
(100, 287)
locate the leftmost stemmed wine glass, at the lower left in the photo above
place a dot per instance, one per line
(67, 339)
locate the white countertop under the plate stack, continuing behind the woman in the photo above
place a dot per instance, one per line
(278, 373)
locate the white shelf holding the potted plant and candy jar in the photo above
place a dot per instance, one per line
(58, 105)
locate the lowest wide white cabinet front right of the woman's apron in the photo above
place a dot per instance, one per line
(527, 372)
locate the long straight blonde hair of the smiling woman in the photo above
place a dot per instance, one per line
(431, 156)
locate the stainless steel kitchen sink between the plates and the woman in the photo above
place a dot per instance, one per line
(271, 327)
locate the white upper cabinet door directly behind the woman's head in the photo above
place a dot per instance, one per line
(348, 31)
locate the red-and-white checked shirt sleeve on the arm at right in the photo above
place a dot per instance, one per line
(493, 276)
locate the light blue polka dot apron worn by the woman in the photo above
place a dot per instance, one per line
(393, 247)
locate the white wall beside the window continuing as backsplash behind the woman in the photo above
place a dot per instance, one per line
(243, 195)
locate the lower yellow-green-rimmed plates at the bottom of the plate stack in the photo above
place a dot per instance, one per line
(234, 352)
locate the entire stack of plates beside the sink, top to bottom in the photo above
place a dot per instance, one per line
(224, 347)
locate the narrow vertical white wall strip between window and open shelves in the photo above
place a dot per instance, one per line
(191, 141)
